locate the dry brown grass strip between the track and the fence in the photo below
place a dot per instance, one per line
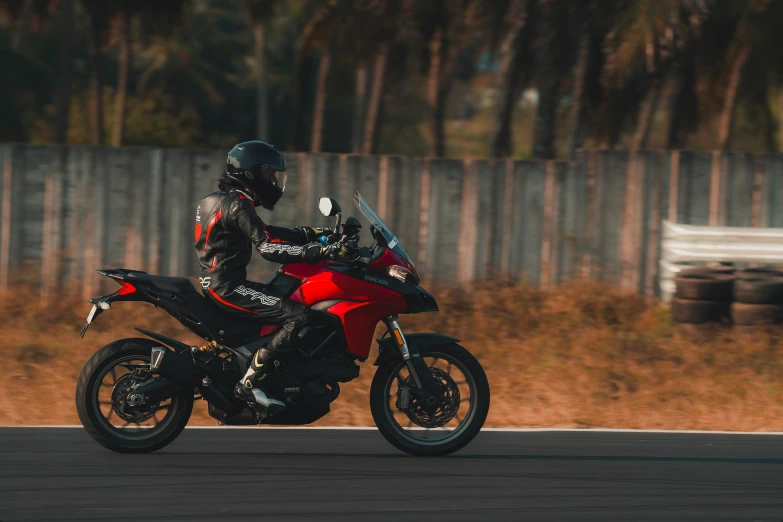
(582, 355)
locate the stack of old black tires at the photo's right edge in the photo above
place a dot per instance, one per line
(758, 298)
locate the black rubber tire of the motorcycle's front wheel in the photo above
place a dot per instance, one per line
(392, 432)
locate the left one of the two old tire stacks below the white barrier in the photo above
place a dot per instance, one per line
(703, 295)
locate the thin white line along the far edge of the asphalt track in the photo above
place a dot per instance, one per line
(497, 430)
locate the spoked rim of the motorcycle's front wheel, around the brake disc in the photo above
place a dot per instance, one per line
(456, 425)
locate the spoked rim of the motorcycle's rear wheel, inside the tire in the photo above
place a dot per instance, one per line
(108, 407)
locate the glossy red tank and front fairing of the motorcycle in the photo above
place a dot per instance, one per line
(361, 304)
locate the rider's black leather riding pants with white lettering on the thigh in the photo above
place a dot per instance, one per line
(248, 298)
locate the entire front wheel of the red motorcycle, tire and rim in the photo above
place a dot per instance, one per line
(411, 426)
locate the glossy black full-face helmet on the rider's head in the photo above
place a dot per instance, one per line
(260, 168)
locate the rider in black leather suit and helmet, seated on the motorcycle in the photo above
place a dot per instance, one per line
(227, 226)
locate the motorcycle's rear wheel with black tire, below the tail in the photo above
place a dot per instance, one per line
(126, 354)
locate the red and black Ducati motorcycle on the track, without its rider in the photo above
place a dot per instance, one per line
(429, 396)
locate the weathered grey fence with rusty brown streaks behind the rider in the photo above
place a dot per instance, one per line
(67, 211)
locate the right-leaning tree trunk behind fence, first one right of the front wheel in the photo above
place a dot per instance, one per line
(510, 57)
